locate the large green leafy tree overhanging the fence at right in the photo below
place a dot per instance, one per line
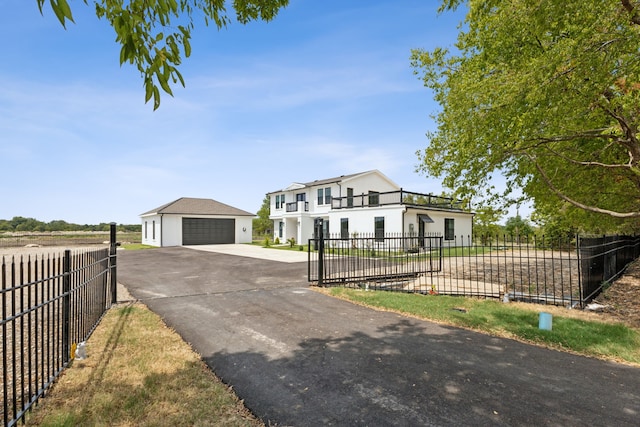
(546, 93)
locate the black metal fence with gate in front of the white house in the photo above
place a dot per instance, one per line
(568, 271)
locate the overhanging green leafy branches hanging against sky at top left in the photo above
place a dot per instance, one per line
(155, 34)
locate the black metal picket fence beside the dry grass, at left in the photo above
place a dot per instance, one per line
(50, 305)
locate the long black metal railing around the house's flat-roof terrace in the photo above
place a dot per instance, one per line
(397, 198)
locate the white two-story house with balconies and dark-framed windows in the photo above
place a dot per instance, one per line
(366, 203)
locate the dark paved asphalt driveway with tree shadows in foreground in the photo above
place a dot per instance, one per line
(300, 358)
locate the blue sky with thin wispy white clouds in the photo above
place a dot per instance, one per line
(323, 90)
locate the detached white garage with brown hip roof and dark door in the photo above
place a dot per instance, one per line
(190, 221)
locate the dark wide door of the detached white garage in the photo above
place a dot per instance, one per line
(208, 231)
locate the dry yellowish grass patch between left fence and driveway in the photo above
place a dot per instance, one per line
(139, 372)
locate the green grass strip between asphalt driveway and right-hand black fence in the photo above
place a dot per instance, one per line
(605, 340)
